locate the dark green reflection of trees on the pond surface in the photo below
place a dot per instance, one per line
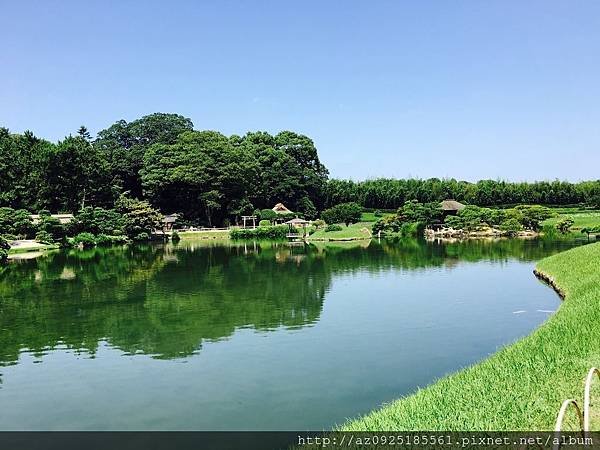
(165, 301)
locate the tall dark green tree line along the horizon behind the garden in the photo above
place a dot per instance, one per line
(213, 179)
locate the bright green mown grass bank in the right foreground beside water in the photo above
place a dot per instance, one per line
(522, 386)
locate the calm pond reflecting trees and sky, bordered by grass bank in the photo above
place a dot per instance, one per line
(253, 336)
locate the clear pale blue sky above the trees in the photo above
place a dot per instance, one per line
(464, 89)
